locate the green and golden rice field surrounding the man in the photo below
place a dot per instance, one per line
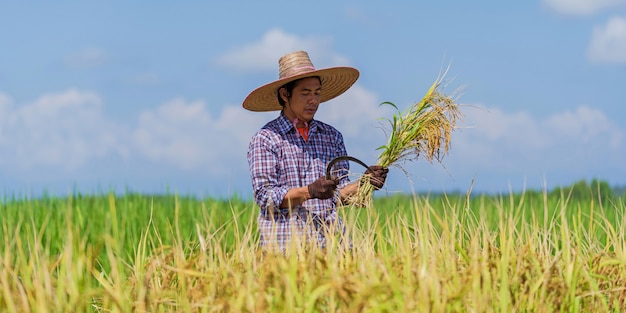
(562, 250)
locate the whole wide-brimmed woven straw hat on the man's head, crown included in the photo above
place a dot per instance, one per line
(296, 65)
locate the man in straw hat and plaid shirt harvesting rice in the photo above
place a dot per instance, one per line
(289, 155)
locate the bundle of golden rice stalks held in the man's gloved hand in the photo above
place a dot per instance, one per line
(424, 129)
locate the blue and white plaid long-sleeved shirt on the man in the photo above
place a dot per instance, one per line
(280, 159)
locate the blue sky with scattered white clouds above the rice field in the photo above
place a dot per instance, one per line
(146, 96)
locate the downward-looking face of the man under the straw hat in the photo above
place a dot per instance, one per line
(304, 100)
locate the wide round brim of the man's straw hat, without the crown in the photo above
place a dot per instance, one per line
(335, 81)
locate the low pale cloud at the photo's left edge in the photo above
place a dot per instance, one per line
(61, 130)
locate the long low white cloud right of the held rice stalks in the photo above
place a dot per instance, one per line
(518, 141)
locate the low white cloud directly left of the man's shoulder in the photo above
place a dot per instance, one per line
(185, 135)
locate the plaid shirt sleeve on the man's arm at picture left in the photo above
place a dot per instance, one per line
(263, 159)
